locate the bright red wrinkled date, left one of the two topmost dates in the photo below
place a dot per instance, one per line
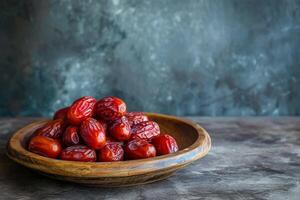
(81, 109)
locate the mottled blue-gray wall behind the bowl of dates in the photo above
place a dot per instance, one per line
(182, 57)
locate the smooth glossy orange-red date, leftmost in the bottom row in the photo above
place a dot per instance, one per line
(45, 146)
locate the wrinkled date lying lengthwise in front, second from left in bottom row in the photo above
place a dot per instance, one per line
(79, 153)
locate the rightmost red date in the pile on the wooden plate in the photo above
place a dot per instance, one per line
(164, 144)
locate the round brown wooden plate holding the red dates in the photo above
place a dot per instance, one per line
(193, 141)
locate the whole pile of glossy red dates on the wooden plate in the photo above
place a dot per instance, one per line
(91, 130)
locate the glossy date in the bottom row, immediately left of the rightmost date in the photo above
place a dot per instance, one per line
(138, 149)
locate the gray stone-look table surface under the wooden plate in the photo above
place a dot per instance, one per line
(251, 158)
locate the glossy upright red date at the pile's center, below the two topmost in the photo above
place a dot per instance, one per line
(92, 133)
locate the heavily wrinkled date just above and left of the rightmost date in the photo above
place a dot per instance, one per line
(145, 130)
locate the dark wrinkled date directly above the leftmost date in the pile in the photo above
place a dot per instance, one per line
(53, 129)
